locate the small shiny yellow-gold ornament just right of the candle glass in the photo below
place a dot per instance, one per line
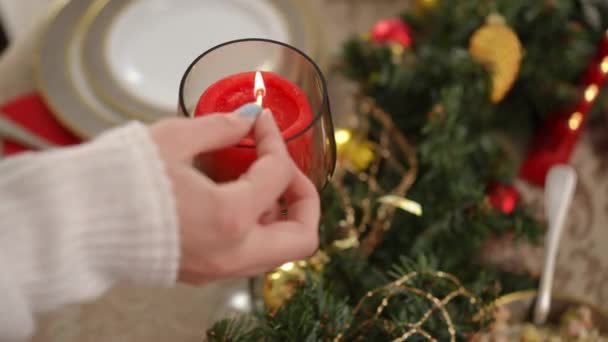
(356, 153)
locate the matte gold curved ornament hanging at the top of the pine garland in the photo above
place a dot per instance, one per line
(498, 46)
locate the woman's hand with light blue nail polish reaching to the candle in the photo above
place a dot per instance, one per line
(235, 229)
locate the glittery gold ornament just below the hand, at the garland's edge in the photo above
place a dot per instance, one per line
(281, 284)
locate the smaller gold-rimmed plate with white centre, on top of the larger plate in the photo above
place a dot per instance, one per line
(135, 51)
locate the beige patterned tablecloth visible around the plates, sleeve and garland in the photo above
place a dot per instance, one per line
(182, 313)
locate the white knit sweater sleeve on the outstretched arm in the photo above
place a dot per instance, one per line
(75, 221)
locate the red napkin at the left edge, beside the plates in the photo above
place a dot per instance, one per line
(30, 112)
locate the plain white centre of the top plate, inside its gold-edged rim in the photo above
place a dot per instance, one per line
(152, 42)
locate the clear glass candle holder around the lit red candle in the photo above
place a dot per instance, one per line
(310, 141)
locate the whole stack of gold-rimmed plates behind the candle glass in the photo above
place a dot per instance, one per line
(103, 62)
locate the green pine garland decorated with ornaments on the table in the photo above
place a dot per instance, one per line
(460, 151)
